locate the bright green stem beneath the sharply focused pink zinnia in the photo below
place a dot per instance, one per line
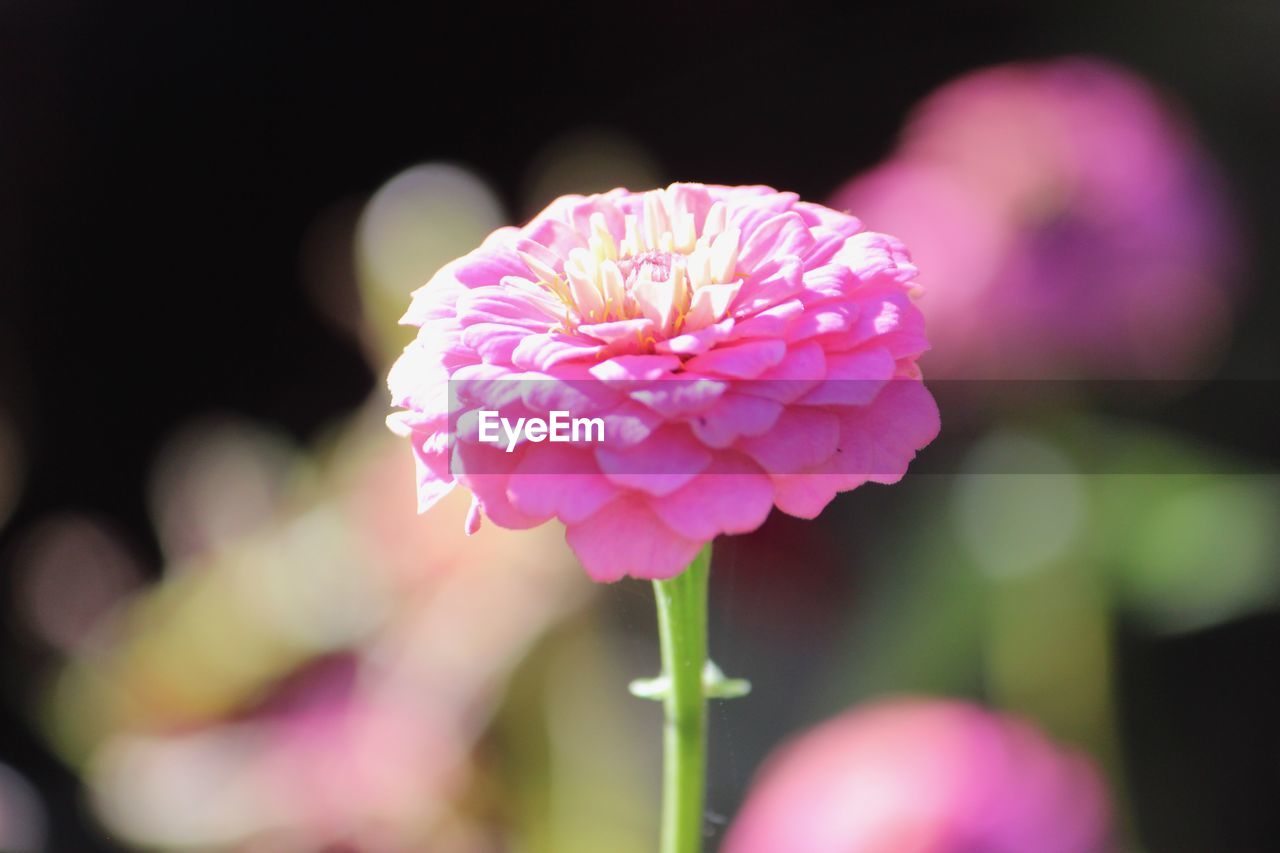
(683, 635)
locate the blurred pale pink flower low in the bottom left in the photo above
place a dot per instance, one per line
(327, 760)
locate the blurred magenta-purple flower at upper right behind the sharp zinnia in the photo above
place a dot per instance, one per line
(1075, 226)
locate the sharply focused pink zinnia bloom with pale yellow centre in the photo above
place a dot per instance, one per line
(743, 349)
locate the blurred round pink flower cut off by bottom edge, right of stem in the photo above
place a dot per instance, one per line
(925, 777)
